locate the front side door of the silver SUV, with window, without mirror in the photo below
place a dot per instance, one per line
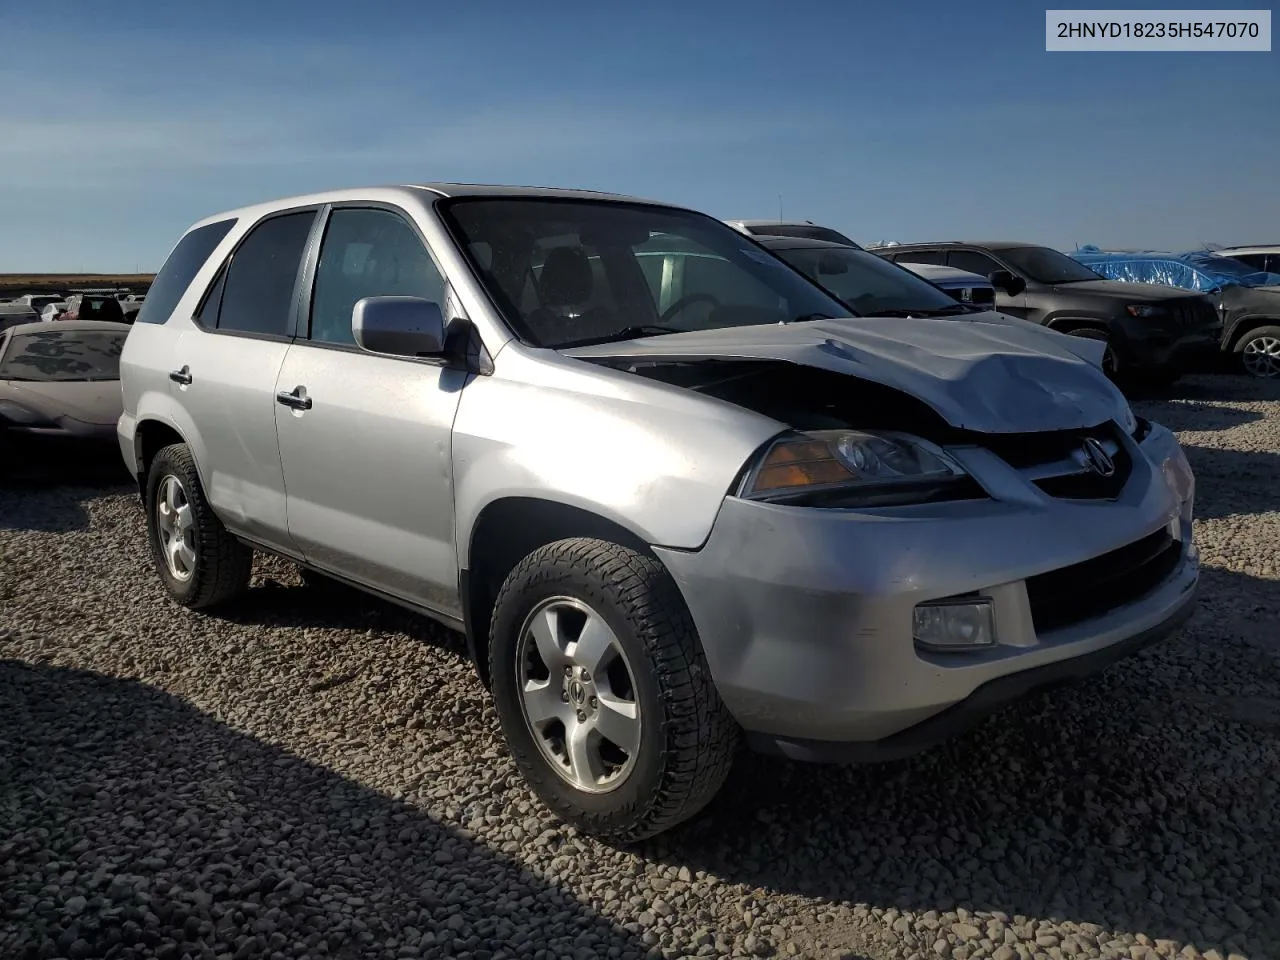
(368, 463)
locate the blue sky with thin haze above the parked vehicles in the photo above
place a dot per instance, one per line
(889, 121)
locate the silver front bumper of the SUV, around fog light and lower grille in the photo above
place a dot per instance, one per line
(807, 615)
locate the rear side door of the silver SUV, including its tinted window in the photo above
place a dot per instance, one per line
(225, 376)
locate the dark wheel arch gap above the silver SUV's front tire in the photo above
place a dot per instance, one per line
(505, 533)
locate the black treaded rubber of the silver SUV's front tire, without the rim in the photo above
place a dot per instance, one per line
(688, 739)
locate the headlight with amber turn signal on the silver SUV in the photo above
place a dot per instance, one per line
(861, 467)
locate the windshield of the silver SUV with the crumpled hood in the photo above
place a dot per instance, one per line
(574, 272)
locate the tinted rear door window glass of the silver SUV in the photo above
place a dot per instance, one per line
(258, 289)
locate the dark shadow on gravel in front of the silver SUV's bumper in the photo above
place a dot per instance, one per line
(1144, 801)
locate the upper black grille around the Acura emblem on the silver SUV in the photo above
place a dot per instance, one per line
(1057, 464)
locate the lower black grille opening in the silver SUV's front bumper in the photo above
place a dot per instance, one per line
(1085, 591)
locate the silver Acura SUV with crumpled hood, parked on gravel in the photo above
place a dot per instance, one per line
(669, 493)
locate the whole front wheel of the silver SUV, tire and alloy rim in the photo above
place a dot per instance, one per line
(604, 691)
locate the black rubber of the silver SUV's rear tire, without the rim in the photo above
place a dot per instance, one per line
(222, 568)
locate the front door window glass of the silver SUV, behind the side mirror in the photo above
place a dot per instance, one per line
(368, 254)
